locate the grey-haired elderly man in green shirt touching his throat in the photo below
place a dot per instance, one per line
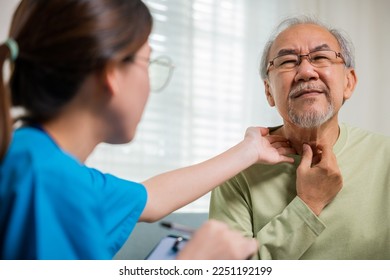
(334, 201)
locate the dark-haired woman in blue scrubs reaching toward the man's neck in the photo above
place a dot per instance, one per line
(80, 73)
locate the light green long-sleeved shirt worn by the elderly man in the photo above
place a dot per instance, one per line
(262, 202)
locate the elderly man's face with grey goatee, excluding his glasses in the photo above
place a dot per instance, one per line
(308, 96)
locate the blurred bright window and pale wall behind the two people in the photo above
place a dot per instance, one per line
(216, 92)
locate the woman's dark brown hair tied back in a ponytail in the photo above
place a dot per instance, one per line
(60, 43)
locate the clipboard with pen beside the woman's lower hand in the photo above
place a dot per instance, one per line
(167, 248)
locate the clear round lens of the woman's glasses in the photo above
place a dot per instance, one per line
(160, 70)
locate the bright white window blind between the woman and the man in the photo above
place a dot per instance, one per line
(210, 99)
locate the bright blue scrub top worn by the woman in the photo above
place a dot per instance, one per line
(54, 207)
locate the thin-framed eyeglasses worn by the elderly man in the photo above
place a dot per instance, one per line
(320, 59)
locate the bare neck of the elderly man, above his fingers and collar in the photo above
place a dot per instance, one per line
(324, 135)
